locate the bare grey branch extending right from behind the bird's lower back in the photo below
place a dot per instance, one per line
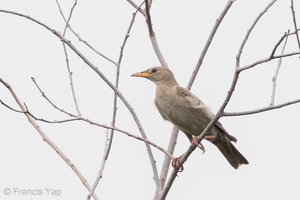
(260, 110)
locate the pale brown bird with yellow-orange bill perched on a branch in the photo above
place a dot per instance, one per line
(189, 114)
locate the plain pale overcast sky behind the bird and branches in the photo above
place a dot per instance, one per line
(269, 140)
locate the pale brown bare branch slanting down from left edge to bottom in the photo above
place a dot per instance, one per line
(46, 139)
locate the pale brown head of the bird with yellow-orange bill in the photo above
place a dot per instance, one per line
(157, 75)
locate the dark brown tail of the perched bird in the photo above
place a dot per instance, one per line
(234, 157)
